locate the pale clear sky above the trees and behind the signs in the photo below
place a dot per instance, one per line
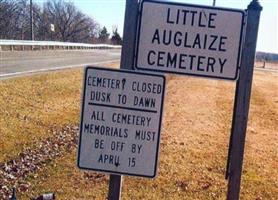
(110, 13)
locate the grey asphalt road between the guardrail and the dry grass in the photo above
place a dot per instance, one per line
(25, 62)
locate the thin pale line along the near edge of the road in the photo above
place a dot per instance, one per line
(54, 69)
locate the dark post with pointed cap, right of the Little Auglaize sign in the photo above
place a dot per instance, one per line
(242, 100)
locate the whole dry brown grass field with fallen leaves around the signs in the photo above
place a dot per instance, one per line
(39, 117)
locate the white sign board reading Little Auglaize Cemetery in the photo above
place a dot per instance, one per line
(189, 39)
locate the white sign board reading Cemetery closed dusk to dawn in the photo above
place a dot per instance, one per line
(121, 122)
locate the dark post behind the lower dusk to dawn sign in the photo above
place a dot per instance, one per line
(127, 62)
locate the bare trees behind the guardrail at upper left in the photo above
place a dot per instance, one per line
(54, 20)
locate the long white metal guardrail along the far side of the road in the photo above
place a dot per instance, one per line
(12, 44)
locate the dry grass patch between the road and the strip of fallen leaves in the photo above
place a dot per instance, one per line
(32, 106)
